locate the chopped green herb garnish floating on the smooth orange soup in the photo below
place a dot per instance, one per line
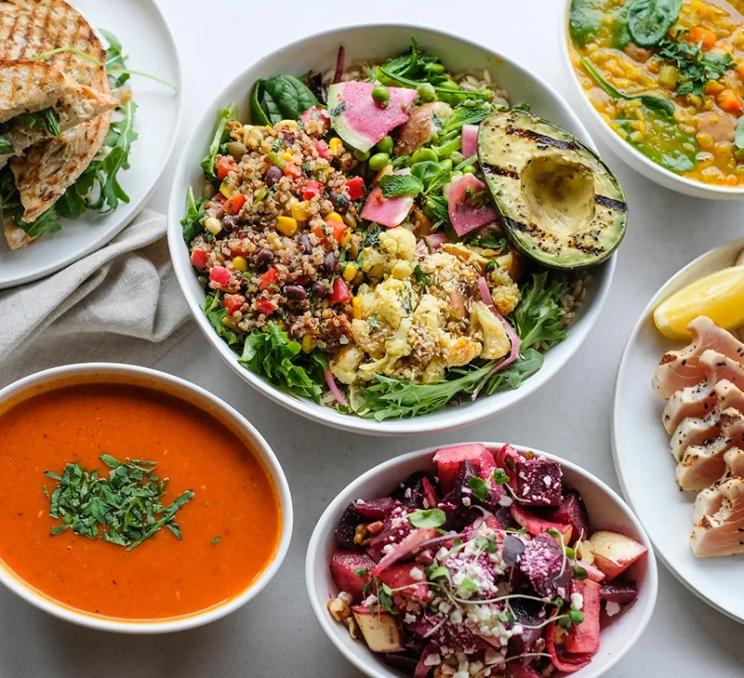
(125, 509)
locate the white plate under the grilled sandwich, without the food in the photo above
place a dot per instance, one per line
(146, 38)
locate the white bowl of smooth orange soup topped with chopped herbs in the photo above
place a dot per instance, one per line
(134, 501)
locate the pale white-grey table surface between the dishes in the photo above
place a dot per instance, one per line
(277, 635)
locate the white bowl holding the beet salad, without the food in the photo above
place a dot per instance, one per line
(606, 510)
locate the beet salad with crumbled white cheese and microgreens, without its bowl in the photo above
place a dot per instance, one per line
(487, 566)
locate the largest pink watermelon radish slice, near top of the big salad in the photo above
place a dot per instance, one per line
(359, 120)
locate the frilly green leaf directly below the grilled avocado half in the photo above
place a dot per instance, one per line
(538, 315)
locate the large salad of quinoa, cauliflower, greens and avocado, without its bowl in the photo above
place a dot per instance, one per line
(389, 238)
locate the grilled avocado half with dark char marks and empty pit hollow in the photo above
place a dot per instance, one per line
(559, 203)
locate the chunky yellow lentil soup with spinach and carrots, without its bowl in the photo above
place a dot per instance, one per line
(668, 77)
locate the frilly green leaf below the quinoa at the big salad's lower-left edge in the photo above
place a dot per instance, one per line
(271, 353)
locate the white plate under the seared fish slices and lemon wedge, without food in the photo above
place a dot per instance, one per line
(644, 464)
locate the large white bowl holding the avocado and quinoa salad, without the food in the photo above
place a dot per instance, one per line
(377, 42)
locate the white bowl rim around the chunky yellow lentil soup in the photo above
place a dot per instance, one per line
(626, 152)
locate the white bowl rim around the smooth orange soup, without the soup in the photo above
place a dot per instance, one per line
(159, 381)
